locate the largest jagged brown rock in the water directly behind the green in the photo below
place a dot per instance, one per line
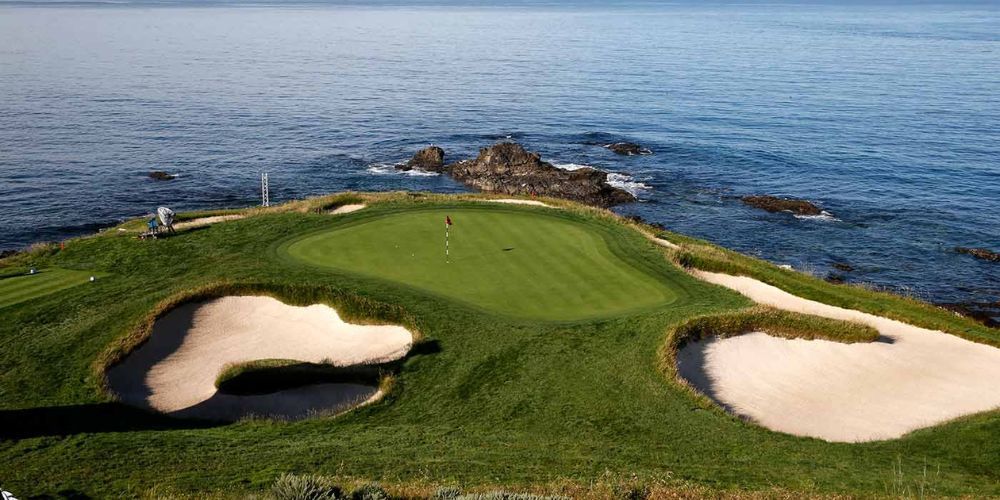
(507, 168)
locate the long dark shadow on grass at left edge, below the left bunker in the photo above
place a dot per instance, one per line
(87, 418)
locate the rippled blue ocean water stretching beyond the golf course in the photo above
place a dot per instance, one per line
(886, 116)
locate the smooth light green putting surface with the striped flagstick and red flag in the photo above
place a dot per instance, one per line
(513, 261)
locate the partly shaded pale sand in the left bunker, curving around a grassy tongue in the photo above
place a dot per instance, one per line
(175, 370)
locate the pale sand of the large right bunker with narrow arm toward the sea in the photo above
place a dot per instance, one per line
(910, 378)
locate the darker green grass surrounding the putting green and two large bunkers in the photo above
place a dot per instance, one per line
(505, 401)
